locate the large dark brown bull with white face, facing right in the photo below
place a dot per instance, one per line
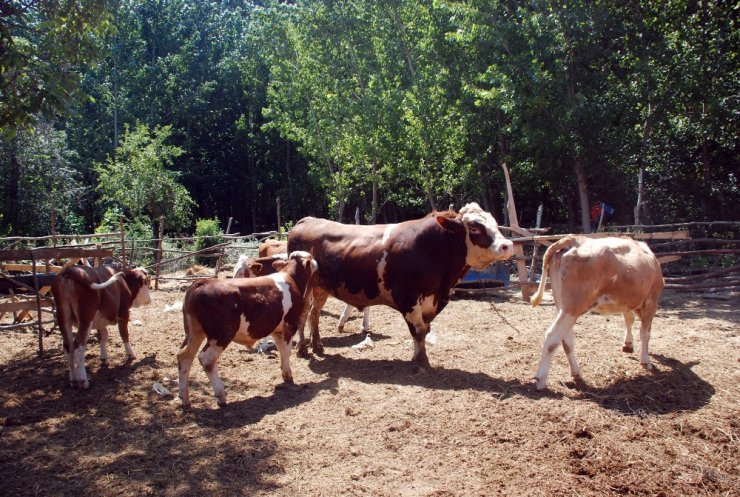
(410, 266)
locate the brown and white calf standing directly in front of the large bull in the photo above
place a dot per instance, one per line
(242, 310)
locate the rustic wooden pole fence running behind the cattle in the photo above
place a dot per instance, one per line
(709, 251)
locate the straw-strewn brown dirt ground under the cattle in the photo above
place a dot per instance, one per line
(361, 423)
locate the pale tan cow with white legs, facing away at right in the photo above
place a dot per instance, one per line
(604, 275)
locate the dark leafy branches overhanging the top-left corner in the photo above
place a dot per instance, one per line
(44, 44)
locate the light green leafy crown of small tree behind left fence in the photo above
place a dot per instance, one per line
(137, 178)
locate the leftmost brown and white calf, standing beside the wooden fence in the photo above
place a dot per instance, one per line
(90, 298)
